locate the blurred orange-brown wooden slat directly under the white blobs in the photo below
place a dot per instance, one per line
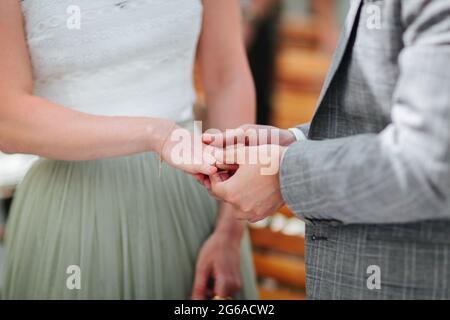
(267, 239)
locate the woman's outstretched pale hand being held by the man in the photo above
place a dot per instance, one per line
(182, 150)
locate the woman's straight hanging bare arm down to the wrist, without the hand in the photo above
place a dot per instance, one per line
(226, 77)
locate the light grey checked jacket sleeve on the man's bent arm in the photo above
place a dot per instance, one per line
(402, 174)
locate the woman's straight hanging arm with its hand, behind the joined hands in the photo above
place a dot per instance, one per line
(230, 98)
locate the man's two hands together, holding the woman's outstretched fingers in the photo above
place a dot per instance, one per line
(248, 161)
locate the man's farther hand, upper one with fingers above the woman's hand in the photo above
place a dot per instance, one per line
(250, 135)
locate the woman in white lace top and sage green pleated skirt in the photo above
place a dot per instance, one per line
(98, 101)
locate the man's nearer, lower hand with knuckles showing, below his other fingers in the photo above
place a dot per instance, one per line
(254, 188)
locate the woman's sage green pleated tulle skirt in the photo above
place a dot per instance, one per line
(109, 229)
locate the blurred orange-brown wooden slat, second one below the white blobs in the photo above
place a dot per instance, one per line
(283, 269)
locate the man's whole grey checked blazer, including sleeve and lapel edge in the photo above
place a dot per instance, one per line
(373, 180)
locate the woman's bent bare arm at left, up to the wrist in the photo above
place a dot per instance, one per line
(29, 124)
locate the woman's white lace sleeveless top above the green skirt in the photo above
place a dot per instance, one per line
(128, 57)
